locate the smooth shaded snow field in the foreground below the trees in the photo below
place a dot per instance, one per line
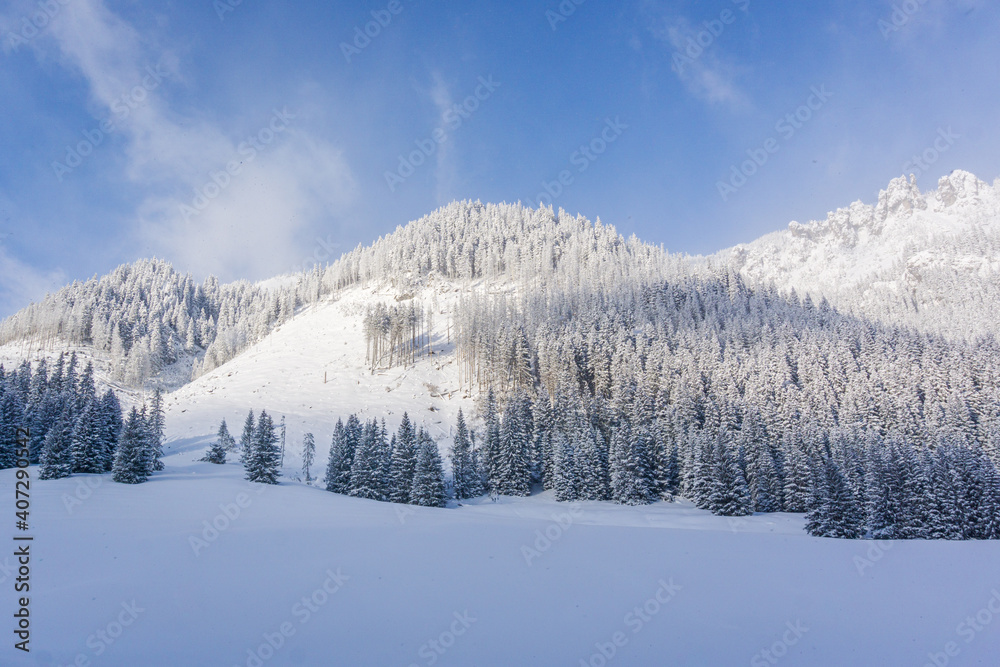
(135, 576)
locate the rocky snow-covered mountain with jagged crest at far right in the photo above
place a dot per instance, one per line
(928, 260)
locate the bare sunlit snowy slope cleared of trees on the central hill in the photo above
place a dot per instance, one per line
(312, 370)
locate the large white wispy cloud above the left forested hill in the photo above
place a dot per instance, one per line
(252, 226)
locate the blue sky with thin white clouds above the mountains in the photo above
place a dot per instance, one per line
(243, 140)
